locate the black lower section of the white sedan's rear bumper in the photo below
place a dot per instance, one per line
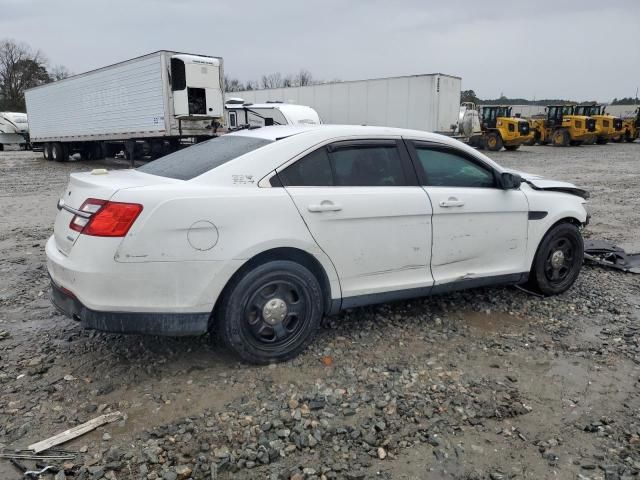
(170, 324)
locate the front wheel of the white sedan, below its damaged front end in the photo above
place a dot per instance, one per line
(553, 273)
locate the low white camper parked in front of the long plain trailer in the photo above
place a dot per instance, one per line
(239, 114)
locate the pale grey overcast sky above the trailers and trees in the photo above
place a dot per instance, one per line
(581, 50)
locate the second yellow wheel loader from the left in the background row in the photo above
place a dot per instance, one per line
(562, 127)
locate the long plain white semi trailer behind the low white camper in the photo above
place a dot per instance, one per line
(421, 102)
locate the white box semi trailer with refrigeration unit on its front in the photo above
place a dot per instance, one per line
(146, 106)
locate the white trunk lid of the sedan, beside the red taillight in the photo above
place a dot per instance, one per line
(99, 184)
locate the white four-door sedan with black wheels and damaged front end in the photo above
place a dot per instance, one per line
(258, 234)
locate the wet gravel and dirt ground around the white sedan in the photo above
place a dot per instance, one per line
(484, 384)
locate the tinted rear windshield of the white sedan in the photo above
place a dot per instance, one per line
(202, 157)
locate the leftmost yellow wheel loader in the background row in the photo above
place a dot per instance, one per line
(500, 129)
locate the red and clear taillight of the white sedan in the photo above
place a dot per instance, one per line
(105, 219)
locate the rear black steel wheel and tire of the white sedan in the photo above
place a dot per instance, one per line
(256, 309)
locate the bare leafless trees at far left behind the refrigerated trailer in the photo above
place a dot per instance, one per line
(22, 68)
